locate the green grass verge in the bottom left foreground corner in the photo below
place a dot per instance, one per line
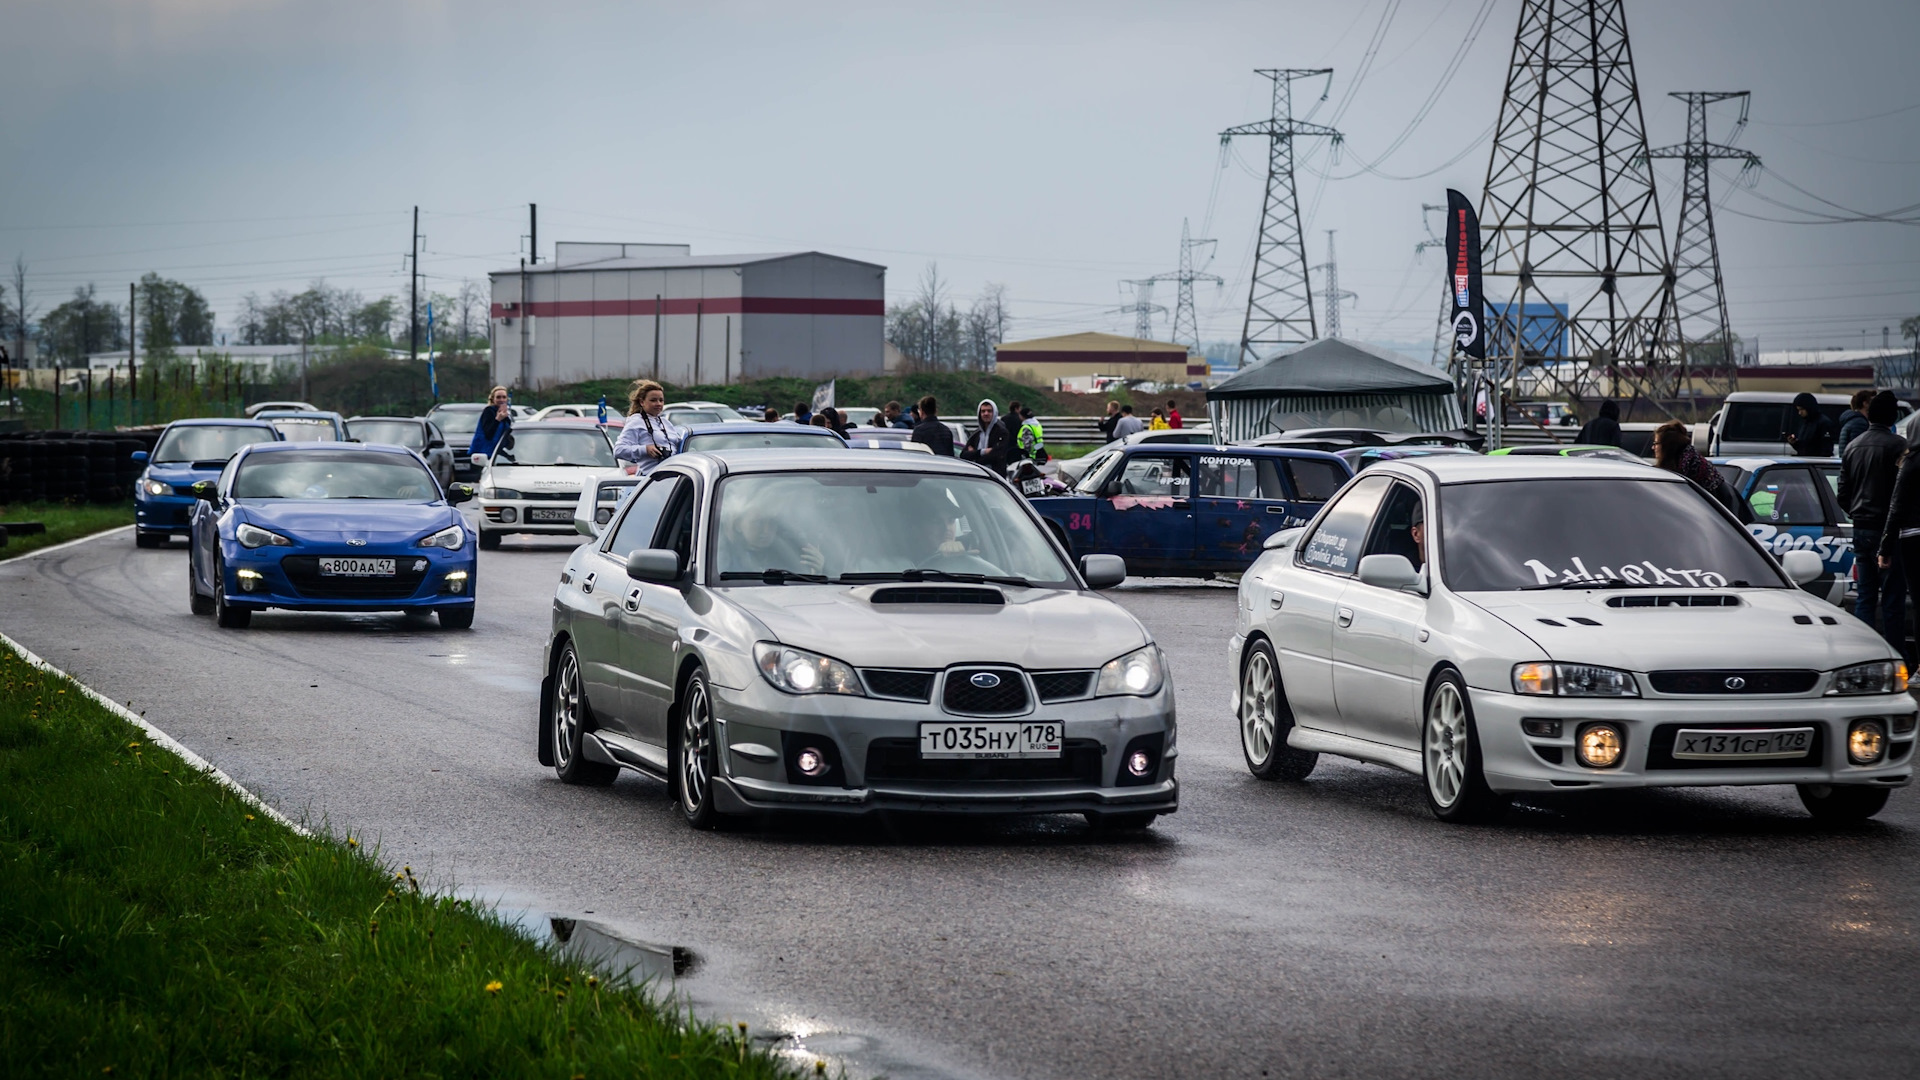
(156, 925)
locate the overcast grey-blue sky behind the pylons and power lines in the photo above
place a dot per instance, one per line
(258, 145)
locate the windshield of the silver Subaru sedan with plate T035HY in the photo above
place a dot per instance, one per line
(861, 528)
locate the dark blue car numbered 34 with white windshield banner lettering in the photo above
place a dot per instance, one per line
(1191, 510)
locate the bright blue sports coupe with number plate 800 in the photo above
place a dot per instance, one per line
(325, 528)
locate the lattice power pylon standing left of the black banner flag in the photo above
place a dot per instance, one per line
(1280, 305)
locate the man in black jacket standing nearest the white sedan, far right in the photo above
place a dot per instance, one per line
(1867, 474)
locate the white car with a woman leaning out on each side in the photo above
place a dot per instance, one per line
(535, 479)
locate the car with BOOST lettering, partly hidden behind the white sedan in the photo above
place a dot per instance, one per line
(1792, 504)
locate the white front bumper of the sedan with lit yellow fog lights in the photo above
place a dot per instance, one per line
(1518, 762)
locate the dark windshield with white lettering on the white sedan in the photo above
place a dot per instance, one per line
(1512, 535)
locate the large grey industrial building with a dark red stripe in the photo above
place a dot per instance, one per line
(660, 312)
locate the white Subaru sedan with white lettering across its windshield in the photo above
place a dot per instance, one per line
(1535, 626)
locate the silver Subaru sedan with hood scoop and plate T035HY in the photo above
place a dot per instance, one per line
(819, 631)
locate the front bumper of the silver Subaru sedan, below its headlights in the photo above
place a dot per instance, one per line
(880, 770)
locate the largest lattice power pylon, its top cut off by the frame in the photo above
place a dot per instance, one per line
(1575, 262)
